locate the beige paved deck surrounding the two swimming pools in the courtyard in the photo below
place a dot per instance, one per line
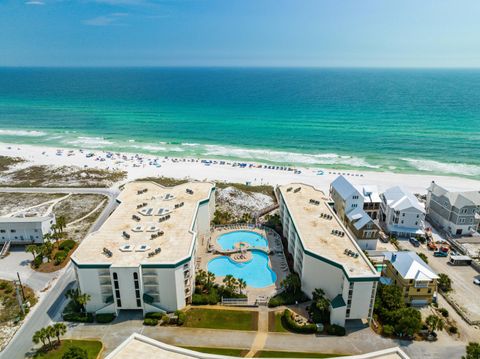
(275, 259)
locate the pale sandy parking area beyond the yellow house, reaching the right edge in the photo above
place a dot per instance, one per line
(465, 294)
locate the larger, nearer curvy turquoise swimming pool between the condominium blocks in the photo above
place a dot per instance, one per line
(256, 272)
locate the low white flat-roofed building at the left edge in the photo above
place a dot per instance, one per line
(25, 229)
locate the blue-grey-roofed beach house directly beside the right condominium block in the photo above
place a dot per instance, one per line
(357, 206)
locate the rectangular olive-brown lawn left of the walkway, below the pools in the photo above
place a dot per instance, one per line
(221, 319)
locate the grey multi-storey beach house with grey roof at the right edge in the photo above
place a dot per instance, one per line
(458, 213)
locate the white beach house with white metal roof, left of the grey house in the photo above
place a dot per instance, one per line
(401, 213)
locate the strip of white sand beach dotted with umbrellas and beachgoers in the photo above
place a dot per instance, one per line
(142, 165)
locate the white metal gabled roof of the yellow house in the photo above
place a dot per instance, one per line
(410, 266)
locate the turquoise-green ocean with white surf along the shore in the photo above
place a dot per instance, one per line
(419, 121)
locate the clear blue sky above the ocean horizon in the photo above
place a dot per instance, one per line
(364, 33)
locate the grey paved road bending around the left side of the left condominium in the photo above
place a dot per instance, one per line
(50, 306)
